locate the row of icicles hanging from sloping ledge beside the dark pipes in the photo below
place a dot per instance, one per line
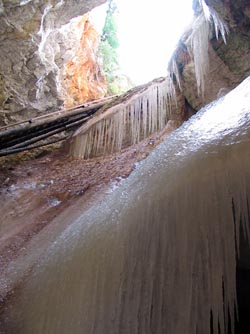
(127, 123)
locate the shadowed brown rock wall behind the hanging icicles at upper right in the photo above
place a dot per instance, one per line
(228, 63)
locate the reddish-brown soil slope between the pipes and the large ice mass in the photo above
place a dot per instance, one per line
(34, 192)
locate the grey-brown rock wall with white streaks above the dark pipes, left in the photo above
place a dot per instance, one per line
(28, 70)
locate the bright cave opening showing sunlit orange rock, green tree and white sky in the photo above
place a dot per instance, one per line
(110, 49)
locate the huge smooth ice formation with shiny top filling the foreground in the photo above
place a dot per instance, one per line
(158, 254)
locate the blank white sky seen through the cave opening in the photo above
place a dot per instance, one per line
(148, 33)
